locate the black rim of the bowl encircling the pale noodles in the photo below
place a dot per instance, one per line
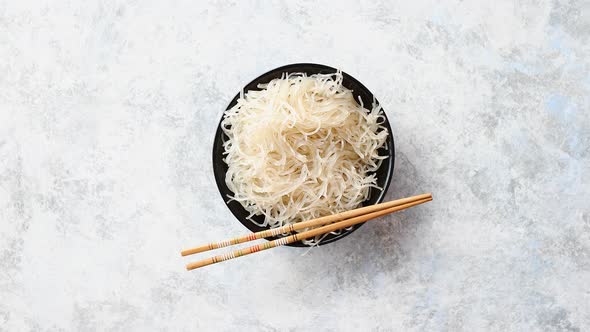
(292, 68)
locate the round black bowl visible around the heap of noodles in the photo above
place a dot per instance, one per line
(384, 173)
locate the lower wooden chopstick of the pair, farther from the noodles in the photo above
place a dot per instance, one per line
(304, 235)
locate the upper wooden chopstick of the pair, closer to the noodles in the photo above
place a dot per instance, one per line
(305, 224)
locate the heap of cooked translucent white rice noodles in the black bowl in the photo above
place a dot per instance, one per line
(301, 148)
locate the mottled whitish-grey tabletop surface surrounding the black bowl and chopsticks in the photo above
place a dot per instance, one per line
(107, 115)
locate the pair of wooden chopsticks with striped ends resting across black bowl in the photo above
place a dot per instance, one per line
(329, 224)
